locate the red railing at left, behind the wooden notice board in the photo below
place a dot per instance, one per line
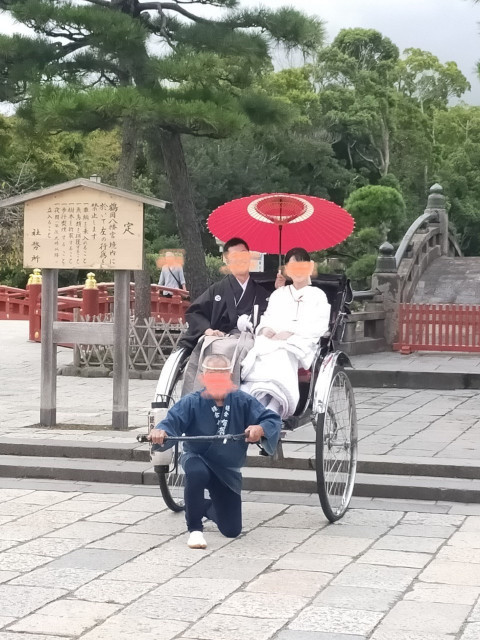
(25, 304)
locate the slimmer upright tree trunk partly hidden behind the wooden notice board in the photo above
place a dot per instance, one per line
(126, 169)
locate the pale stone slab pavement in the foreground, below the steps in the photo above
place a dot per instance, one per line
(110, 562)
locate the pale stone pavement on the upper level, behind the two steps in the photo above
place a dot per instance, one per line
(402, 423)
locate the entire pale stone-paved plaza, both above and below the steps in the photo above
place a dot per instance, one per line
(105, 561)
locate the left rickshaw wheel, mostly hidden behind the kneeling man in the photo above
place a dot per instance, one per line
(171, 479)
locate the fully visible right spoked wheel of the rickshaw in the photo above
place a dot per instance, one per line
(336, 447)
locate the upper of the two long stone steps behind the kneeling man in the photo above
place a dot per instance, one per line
(135, 452)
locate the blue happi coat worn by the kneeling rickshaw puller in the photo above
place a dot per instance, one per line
(194, 415)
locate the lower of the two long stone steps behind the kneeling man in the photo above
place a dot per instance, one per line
(255, 478)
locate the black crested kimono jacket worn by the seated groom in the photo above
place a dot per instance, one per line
(220, 307)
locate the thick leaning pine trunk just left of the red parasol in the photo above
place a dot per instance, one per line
(170, 145)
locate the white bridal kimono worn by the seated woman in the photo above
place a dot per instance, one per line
(270, 369)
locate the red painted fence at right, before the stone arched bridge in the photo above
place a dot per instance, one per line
(437, 327)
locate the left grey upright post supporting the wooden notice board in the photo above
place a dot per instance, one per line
(48, 373)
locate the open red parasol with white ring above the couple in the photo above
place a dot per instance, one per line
(302, 221)
